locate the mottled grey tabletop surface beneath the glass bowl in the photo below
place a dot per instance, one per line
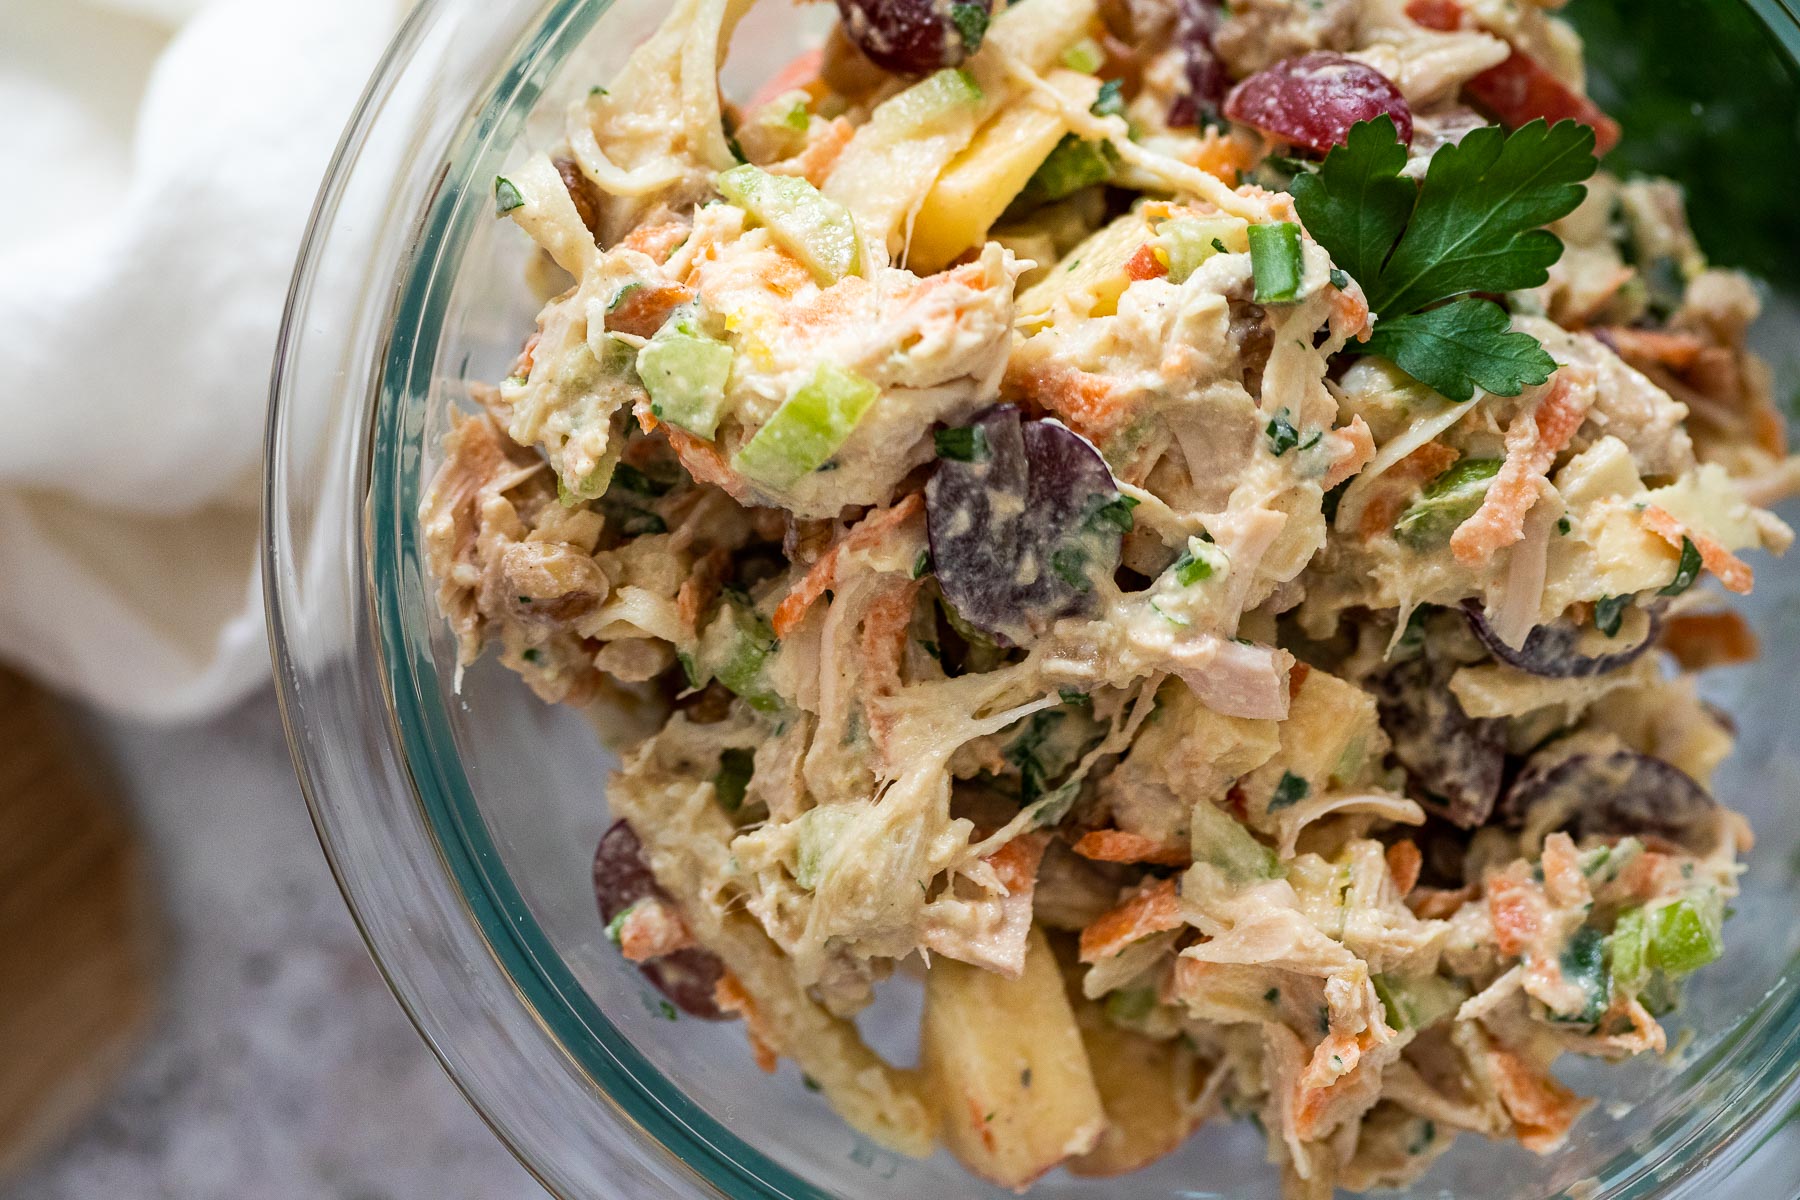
(282, 1068)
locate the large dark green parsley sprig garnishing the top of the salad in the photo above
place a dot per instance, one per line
(1475, 224)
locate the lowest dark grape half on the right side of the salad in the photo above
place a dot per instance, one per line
(1614, 794)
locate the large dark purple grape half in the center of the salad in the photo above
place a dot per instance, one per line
(1025, 523)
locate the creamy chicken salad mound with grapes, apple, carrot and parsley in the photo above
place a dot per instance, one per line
(1185, 528)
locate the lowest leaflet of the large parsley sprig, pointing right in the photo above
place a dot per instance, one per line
(1462, 346)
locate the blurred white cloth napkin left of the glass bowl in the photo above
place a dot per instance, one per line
(159, 165)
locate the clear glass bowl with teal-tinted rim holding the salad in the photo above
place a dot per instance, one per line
(460, 814)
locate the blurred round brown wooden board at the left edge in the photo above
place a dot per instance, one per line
(76, 927)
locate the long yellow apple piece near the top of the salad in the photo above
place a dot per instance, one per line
(980, 183)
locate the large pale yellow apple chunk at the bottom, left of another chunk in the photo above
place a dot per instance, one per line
(1005, 1068)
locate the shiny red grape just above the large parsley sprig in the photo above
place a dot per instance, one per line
(1317, 98)
